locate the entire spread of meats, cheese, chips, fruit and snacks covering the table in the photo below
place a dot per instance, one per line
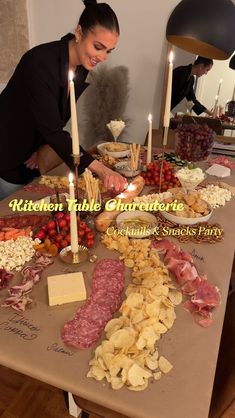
(121, 321)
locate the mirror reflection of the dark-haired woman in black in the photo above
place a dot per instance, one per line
(183, 83)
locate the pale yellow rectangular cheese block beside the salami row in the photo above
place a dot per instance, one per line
(65, 288)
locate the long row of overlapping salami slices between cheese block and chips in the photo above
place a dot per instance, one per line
(90, 319)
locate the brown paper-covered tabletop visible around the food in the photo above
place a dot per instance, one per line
(30, 341)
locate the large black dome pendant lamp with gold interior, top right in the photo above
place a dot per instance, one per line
(203, 27)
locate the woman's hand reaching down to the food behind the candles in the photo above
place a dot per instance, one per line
(110, 178)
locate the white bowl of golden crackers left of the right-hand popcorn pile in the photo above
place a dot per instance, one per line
(194, 209)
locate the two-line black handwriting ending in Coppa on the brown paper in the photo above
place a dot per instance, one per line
(21, 326)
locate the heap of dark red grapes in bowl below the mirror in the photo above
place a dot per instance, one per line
(194, 142)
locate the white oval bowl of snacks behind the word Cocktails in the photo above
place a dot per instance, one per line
(136, 224)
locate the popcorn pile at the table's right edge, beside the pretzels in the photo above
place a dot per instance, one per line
(215, 195)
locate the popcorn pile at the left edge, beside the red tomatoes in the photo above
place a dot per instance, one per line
(14, 254)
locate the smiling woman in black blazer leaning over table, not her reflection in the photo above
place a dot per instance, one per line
(35, 105)
